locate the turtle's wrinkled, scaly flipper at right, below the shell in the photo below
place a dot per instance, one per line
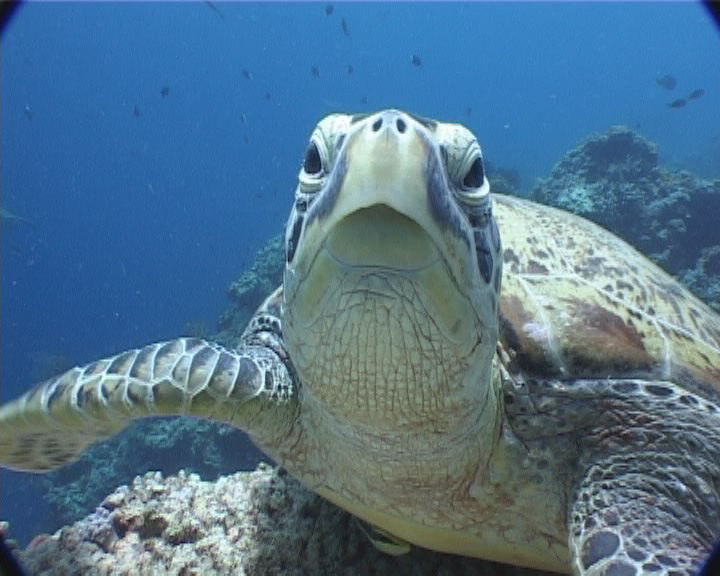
(649, 501)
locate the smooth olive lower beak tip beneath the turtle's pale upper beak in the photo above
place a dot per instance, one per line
(379, 237)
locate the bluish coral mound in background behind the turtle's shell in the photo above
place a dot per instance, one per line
(614, 180)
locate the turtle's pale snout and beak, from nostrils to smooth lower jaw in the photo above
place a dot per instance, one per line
(387, 204)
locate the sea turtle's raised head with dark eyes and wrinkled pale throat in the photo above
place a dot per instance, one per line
(392, 273)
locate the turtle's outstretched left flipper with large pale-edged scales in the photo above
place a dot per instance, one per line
(52, 424)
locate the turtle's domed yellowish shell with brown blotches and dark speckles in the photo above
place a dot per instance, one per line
(577, 303)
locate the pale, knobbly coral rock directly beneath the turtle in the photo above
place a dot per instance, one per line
(261, 522)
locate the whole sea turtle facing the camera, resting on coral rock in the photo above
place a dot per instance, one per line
(569, 421)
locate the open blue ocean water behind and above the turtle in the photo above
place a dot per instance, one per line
(155, 147)
